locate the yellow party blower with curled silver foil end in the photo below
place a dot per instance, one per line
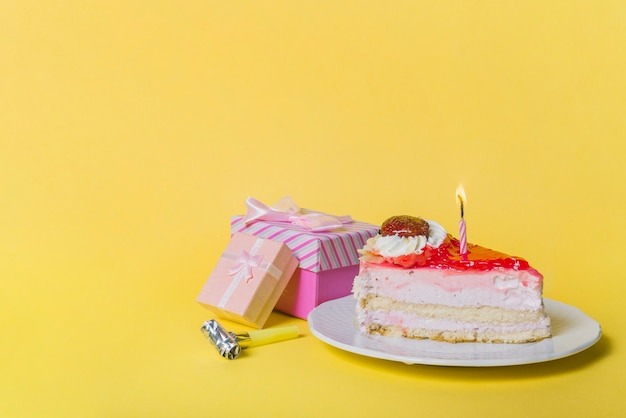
(229, 344)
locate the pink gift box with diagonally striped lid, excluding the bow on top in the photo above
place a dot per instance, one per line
(328, 261)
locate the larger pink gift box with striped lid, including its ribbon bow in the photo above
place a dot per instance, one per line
(327, 254)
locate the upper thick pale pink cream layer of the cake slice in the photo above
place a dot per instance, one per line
(519, 290)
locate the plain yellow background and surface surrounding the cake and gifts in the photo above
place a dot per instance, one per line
(130, 131)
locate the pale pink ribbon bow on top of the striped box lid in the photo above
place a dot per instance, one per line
(286, 210)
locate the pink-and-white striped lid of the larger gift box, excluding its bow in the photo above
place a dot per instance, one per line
(316, 251)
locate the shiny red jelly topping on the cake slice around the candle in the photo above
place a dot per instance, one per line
(447, 256)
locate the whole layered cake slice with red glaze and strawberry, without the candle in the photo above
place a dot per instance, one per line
(413, 283)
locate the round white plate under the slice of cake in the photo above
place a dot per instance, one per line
(572, 332)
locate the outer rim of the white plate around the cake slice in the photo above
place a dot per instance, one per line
(593, 327)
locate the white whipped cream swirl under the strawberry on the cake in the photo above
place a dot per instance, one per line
(395, 246)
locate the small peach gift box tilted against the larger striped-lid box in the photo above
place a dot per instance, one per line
(248, 279)
